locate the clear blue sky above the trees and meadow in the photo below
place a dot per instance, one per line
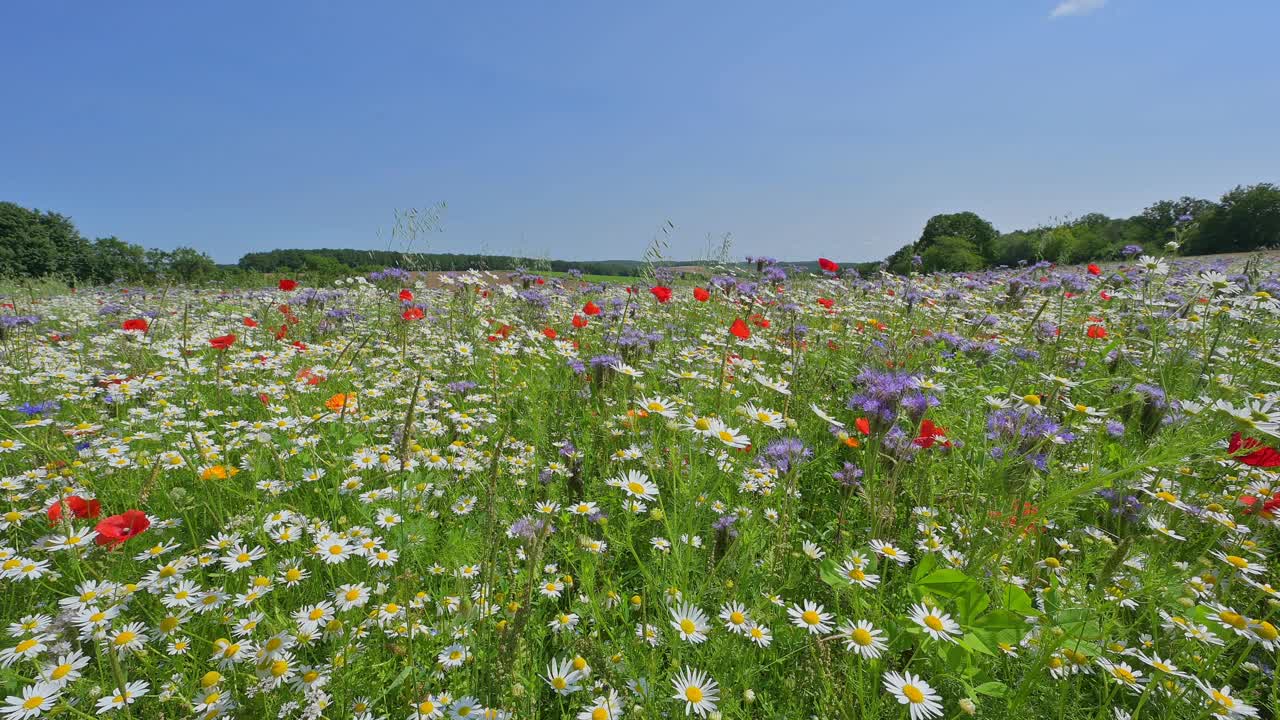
(574, 130)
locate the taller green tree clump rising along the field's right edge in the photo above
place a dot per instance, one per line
(1244, 220)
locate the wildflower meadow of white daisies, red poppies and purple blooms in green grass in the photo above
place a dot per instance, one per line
(1043, 493)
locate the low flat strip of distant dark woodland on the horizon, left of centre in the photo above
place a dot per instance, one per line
(328, 261)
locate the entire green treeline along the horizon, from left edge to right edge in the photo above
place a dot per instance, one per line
(44, 244)
